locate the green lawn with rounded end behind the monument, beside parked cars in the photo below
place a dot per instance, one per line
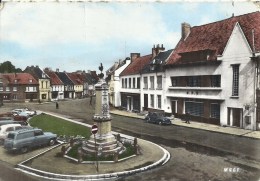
(59, 126)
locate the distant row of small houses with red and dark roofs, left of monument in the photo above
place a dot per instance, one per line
(35, 84)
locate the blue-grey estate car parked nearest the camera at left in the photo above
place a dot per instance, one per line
(23, 140)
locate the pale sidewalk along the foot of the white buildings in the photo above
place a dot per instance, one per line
(197, 125)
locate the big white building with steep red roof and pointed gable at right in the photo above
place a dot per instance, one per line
(212, 74)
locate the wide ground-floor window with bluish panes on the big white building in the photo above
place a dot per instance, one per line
(194, 108)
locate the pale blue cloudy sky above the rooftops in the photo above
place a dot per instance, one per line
(72, 36)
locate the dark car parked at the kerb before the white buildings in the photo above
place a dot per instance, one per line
(157, 118)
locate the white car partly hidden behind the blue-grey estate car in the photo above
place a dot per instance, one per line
(5, 129)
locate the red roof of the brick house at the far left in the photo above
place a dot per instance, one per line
(20, 78)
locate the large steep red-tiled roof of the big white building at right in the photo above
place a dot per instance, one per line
(214, 36)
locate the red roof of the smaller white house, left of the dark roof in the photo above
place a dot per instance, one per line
(137, 65)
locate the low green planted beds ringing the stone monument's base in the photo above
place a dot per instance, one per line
(128, 152)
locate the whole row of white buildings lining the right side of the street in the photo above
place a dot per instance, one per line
(212, 73)
